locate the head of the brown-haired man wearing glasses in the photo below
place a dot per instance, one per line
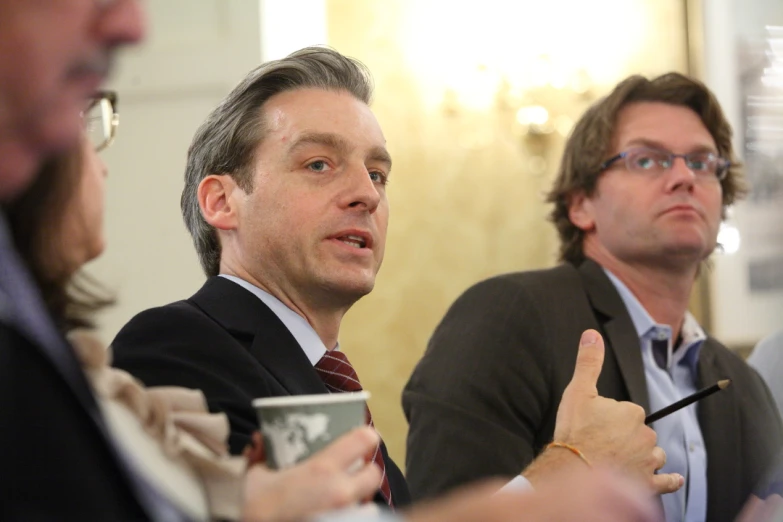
(641, 205)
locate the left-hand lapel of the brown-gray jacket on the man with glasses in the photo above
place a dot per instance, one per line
(621, 335)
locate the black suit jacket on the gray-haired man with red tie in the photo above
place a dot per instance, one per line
(228, 343)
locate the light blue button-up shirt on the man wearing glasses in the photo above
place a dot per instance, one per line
(679, 434)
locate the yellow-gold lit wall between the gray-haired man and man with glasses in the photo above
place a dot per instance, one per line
(466, 199)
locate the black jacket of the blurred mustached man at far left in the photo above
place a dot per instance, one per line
(56, 462)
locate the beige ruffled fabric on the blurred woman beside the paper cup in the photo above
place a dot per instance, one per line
(170, 434)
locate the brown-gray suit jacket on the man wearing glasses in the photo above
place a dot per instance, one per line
(483, 400)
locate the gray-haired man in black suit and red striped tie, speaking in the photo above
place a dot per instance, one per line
(285, 197)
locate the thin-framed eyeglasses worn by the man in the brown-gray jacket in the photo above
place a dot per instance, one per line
(706, 165)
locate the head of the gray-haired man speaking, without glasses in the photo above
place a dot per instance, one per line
(285, 180)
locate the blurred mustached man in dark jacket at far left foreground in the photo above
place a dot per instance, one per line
(58, 461)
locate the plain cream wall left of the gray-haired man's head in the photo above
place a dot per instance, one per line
(195, 54)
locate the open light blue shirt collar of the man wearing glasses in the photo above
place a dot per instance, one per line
(693, 335)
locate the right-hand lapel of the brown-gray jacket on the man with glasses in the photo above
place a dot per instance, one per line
(718, 419)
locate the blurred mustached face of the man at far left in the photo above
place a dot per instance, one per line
(53, 56)
